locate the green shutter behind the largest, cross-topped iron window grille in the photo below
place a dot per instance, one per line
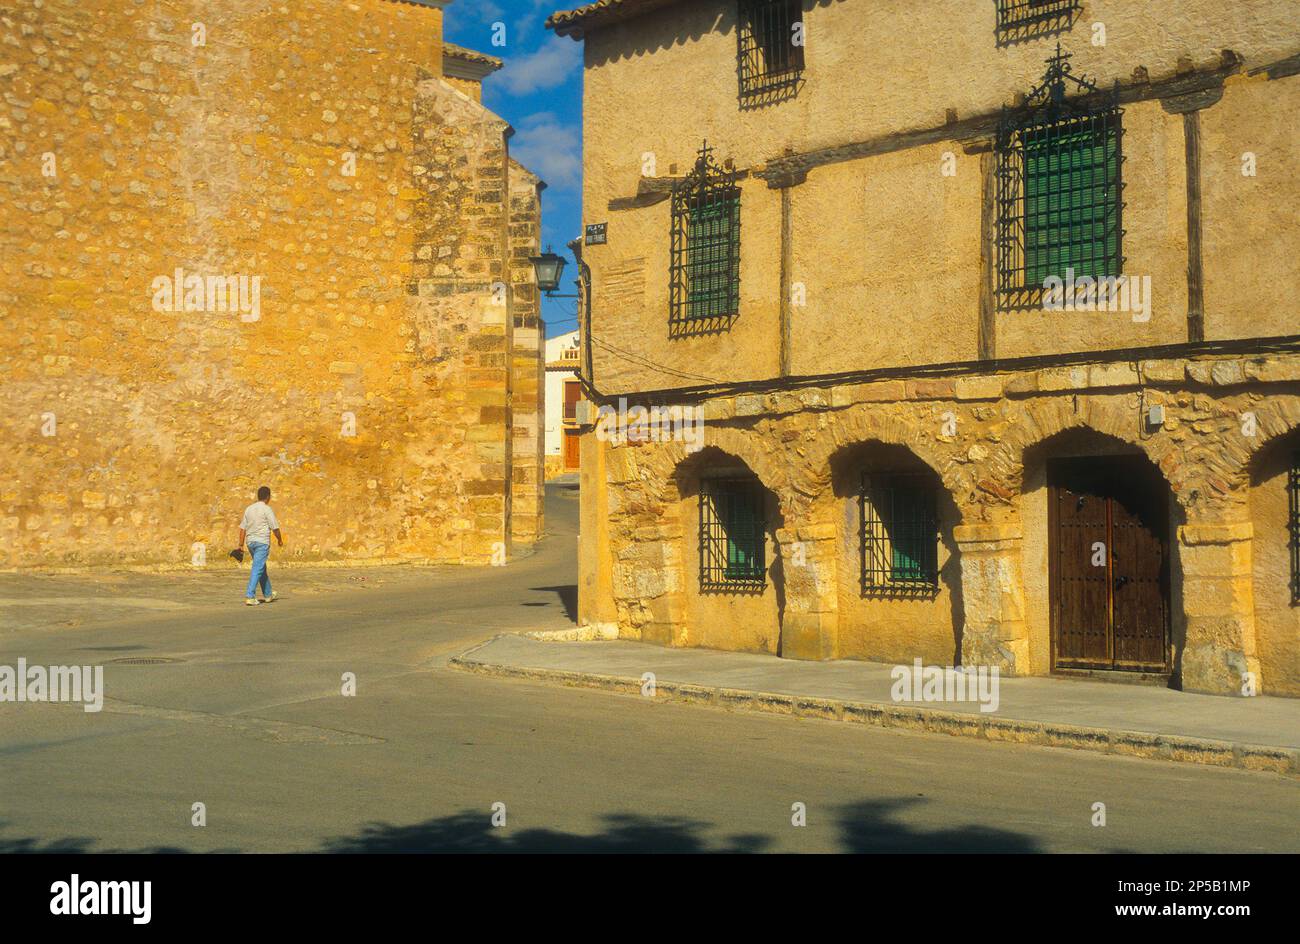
(1072, 202)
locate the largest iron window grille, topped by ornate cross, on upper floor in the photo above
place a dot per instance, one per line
(1060, 188)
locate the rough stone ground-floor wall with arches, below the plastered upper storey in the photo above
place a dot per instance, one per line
(1229, 539)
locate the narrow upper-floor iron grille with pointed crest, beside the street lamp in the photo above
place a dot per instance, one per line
(705, 249)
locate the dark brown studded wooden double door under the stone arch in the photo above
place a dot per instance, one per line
(1108, 565)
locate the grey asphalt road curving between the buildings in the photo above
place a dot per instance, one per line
(250, 721)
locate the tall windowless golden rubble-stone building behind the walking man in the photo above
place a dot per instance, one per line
(249, 244)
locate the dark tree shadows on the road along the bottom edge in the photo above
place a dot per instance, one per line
(864, 828)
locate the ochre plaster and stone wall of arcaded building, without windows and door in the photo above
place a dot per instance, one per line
(869, 236)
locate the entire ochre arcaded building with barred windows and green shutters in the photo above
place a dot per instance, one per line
(833, 228)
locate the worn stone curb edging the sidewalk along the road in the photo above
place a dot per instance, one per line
(1176, 748)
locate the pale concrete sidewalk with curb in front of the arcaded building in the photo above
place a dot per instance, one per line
(1254, 734)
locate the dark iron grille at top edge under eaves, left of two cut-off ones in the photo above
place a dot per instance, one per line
(770, 50)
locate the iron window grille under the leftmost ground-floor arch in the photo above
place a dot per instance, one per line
(733, 530)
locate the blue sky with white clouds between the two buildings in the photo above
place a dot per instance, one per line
(540, 94)
